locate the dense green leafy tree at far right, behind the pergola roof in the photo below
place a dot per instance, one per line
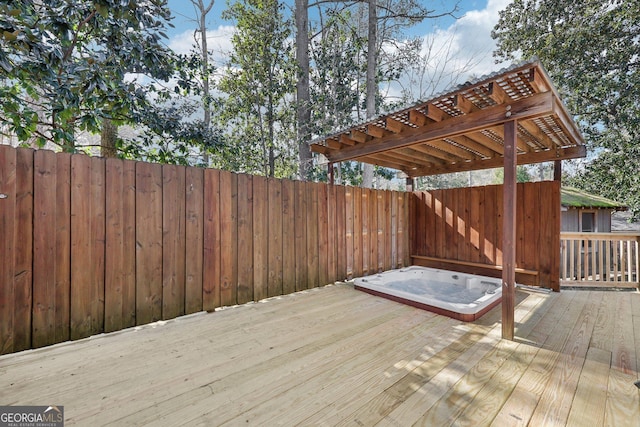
(590, 49)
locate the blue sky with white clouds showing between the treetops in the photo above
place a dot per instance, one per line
(469, 37)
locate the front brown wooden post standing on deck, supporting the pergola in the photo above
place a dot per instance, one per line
(509, 230)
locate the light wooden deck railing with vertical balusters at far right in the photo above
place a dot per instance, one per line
(599, 258)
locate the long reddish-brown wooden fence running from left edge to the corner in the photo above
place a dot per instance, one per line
(93, 245)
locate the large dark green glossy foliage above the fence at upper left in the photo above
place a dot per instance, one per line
(66, 65)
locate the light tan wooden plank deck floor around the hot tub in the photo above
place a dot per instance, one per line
(336, 356)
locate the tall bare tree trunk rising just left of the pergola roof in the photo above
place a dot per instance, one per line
(303, 110)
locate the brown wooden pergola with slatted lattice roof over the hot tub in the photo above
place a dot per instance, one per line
(509, 118)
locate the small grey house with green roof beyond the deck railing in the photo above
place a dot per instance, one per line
(585, 212)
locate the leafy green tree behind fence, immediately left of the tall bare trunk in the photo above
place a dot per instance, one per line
(259, 84)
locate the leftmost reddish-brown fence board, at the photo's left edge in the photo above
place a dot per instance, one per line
(8, 214)
